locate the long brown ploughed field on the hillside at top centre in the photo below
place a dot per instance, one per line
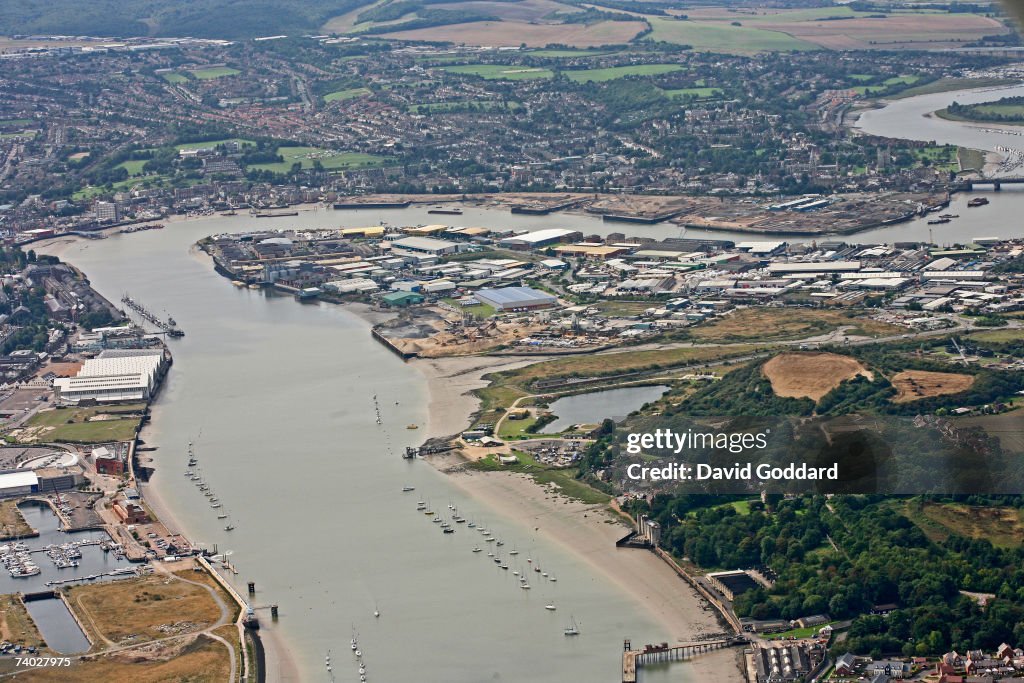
(534, 35)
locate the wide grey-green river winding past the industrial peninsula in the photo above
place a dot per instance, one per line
(279, 398)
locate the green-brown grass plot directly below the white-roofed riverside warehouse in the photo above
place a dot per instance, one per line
(79, 425)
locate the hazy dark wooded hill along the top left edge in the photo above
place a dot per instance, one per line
(201, 19)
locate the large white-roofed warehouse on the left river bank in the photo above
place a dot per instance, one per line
(116, 376)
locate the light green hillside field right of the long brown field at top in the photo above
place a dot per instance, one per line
(707, 37)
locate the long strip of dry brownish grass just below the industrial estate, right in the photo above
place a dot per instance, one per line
(786, 324)
